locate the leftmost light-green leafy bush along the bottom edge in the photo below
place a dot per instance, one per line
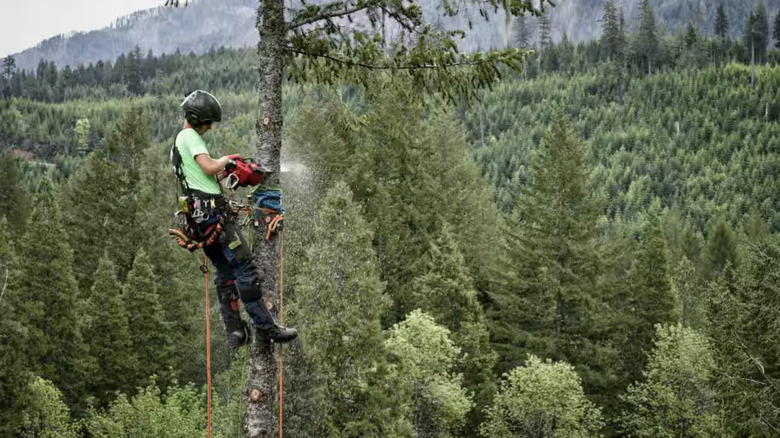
(47, 416)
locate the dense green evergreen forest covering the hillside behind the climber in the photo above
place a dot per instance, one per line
(588, 248)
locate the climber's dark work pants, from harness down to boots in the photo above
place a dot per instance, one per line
(237, 276)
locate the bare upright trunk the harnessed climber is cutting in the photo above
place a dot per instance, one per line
(260, 390)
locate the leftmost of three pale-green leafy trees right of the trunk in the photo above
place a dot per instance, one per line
(425, 359)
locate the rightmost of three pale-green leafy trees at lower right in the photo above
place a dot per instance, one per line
(677, 395)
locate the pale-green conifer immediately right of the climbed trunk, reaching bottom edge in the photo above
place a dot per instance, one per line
(340, 300)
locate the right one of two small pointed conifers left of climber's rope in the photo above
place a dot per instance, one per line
(149, 331)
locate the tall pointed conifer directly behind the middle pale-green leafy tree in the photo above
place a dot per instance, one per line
(556, 253)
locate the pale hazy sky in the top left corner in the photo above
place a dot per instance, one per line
(27, 22)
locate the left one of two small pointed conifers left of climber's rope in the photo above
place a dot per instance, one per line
(107, 336)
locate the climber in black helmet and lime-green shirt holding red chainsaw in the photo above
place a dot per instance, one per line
(207, 212)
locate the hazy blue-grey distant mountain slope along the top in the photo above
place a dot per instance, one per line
(231, 23)
